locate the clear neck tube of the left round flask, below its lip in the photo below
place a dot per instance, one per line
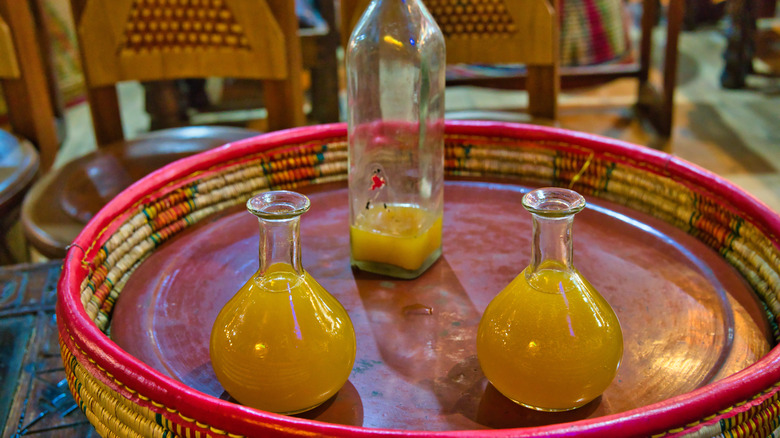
(280, 244)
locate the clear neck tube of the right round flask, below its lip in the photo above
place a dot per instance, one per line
(552, 246)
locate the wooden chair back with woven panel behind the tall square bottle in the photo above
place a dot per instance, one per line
(495, 39)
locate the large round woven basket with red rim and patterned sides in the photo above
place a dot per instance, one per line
(123, 396)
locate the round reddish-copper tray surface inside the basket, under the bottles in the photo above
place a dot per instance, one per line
(688, 317)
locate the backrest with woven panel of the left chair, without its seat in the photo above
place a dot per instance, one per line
(147, 40)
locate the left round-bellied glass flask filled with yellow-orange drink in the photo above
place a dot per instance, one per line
(283, 343)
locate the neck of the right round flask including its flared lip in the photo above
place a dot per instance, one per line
(552, 210)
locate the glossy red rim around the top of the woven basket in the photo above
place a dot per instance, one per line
(658, 417)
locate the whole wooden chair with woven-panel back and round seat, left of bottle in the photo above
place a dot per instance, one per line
(154, 40)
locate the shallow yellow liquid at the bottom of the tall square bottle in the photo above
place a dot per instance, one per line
(392, 235)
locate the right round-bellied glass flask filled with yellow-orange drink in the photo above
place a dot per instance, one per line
(549, 341)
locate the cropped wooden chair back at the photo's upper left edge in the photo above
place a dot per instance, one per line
(26, 77)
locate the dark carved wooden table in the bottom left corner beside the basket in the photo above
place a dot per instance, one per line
(34, 395)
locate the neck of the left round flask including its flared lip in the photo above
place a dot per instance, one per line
(279, 213)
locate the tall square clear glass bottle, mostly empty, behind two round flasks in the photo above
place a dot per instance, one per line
(395, 90)
